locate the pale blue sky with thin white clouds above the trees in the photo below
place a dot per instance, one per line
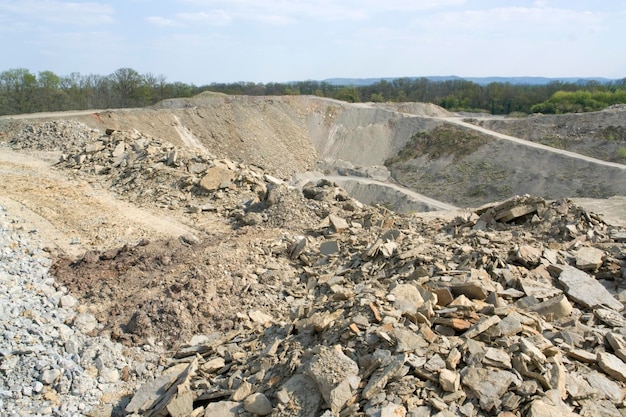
(204, 41)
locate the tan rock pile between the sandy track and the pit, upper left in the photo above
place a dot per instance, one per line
(148, 170)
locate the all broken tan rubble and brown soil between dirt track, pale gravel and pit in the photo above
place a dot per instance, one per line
(342, 309)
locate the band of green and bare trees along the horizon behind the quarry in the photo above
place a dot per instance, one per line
(24, 92)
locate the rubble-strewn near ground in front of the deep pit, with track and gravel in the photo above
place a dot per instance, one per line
(146, 277)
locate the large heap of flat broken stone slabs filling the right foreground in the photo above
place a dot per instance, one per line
(514, 309)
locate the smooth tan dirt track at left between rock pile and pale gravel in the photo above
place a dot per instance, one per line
(74, 216)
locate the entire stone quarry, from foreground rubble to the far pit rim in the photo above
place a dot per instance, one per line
(302, 256)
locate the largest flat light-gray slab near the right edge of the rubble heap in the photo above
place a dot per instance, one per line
(585, 290)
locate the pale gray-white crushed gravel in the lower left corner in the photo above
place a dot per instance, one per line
(49, 365)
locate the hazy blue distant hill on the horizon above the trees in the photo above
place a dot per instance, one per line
(358, 82)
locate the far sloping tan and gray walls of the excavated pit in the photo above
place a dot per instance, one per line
(287, 135)
